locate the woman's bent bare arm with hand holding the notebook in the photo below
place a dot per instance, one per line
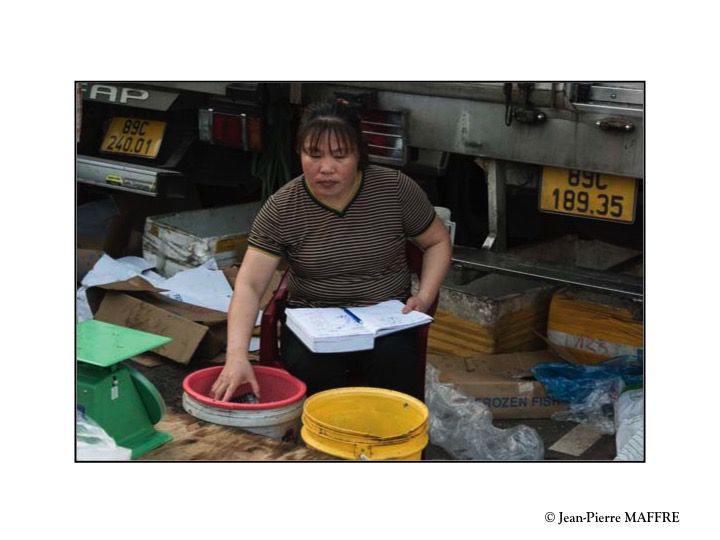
(435, 242)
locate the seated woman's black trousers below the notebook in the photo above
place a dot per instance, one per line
(392, 364)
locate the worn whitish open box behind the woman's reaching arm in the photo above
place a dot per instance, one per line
(182, 240)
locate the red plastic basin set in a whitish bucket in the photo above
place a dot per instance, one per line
(277, 388)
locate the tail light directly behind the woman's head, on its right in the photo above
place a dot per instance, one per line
(385, 134)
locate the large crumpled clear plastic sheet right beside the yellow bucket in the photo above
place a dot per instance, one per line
(463, 427)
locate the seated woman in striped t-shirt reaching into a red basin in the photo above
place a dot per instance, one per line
(342, 227)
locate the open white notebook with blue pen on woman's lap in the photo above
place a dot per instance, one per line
(350, 329)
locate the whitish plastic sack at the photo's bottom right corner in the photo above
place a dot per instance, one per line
(630, 426)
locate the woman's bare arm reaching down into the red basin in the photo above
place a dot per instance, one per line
(252, 280)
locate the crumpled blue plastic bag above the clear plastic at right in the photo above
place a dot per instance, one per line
(564, 381)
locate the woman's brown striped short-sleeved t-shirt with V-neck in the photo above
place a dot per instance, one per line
(353, 257)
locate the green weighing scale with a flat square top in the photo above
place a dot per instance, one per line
(116, 396)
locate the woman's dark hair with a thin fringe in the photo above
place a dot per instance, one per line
(334, 118)
